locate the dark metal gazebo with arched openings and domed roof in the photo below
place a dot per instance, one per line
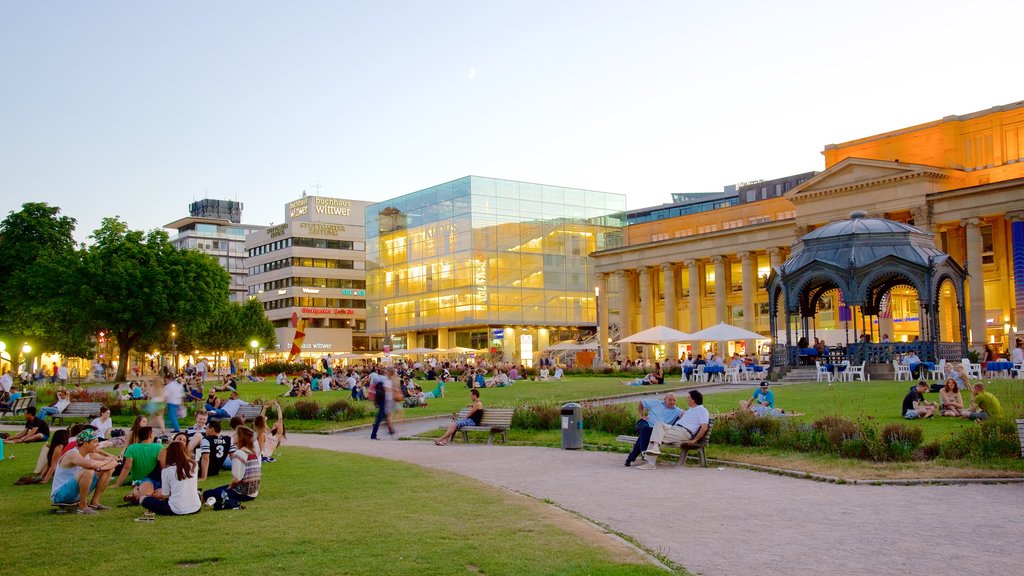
(865, 259)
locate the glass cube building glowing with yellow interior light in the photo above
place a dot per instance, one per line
(485, 263)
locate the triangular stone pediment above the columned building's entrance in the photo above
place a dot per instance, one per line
(856, 174)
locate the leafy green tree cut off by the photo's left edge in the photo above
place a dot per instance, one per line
(37, 260)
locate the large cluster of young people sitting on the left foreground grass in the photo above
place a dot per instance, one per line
(82, 462)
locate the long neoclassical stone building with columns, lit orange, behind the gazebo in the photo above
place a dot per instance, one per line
(961, 179)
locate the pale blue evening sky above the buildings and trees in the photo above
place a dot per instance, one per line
(138, 109)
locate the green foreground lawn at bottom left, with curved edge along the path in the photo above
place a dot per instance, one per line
(318, 513)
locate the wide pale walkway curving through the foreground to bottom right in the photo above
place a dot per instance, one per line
(727, 521)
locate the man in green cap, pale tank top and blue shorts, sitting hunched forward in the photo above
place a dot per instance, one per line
(78, 475)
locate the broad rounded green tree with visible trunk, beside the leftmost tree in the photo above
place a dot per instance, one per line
(138, 285)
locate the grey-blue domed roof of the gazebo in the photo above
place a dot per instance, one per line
(861, 241)
